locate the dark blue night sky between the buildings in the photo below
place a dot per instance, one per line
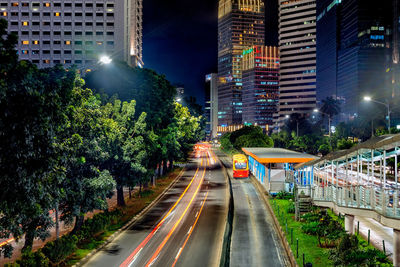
(180, 41)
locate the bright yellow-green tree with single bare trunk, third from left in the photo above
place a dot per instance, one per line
(122, 139)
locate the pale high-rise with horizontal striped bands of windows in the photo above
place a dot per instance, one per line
(297, 44)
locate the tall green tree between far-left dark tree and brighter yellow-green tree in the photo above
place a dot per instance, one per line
(86, 187)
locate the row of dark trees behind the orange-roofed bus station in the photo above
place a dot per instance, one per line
(302, 133)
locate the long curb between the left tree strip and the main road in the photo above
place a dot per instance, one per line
(130, 223)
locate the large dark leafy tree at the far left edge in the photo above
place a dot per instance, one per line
(32, 114)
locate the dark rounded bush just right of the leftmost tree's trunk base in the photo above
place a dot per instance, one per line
(58, 250)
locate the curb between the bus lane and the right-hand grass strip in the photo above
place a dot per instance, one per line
(278, 227)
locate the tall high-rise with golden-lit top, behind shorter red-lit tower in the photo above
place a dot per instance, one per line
(240, 25)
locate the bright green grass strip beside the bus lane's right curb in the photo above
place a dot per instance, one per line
(308, 244)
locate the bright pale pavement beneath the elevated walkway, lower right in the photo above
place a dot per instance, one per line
(377, 234)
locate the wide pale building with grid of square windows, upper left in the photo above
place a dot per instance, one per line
(75, 32)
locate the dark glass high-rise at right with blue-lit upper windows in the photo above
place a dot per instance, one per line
(364, 55)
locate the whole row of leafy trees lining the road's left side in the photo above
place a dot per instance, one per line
(64, 149)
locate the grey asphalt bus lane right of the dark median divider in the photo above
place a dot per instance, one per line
(254, 241)
